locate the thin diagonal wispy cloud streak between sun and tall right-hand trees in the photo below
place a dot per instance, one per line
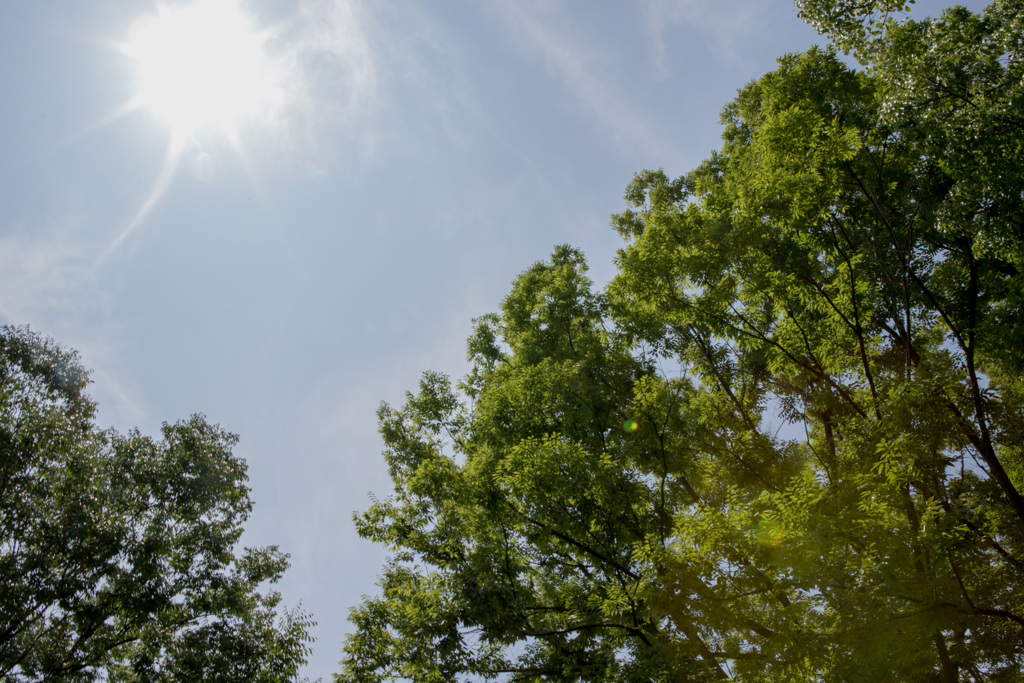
(582, 67)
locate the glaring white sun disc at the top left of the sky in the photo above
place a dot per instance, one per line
(202, 65)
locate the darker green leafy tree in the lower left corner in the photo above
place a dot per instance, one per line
(117, 552)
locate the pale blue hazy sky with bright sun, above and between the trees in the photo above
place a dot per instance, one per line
(284, 255)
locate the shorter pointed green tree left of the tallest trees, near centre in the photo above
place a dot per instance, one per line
(520, 524)
